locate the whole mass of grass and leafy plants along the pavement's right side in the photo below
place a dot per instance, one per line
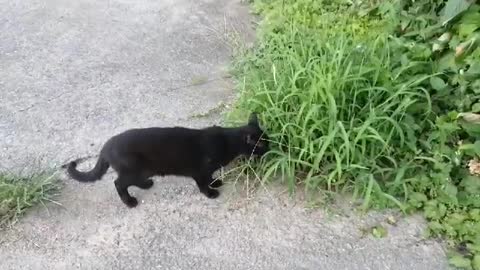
(380, 99)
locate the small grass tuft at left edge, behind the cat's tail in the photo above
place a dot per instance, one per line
(19, 193)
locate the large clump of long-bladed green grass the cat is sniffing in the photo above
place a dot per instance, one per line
(332, 110)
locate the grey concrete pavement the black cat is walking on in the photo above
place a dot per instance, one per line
(73, 73)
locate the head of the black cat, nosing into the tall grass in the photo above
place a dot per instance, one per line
(255, 141)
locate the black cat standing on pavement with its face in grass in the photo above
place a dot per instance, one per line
(138, 154)
